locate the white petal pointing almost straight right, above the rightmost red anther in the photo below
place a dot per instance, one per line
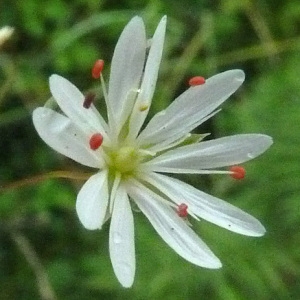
(226, 151)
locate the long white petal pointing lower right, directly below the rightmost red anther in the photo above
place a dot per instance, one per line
(207, 207)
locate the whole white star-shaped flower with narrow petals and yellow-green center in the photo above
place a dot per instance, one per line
(129, 161)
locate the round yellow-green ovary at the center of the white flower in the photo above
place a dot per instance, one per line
(124, 160)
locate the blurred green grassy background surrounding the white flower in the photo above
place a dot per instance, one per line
(45, 253)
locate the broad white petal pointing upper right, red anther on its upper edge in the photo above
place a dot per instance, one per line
(191, 108)
